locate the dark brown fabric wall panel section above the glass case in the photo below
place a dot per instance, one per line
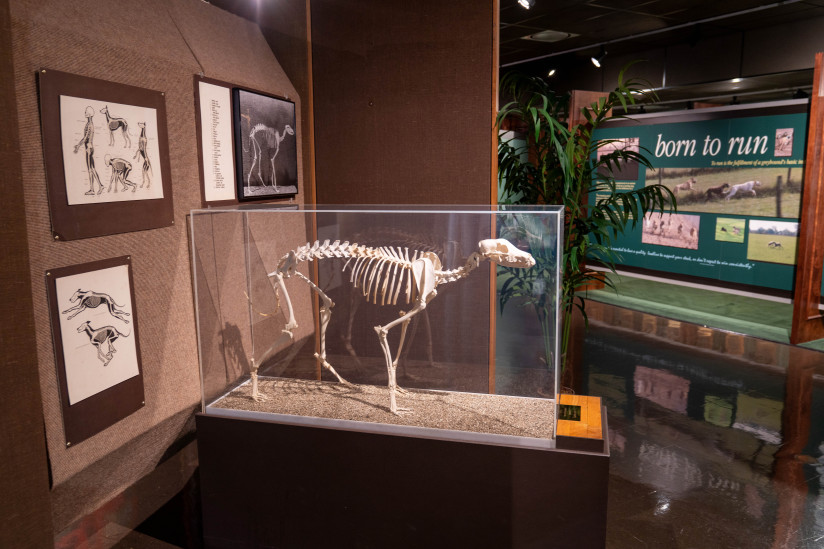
(403, 101)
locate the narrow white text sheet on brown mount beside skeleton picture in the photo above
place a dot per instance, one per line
(215, 140)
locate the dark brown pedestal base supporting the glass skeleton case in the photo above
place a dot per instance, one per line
(268, 484)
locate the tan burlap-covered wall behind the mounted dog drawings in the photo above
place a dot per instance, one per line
(160, 45)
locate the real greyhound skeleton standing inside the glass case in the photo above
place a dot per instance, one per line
(384, 275)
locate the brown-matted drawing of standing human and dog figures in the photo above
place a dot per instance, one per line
(106, 155)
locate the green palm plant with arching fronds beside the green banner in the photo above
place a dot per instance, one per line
(562, 165)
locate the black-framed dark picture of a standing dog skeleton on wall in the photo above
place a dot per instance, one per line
(265, 145)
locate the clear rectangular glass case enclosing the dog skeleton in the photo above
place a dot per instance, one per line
(431, 321)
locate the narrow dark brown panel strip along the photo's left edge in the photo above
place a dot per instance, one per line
(25, 514)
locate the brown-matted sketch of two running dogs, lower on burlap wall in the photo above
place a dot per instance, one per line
(96, 349)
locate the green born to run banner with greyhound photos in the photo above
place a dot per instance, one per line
(737, 174)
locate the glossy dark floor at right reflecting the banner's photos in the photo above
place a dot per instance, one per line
(709, 450)
